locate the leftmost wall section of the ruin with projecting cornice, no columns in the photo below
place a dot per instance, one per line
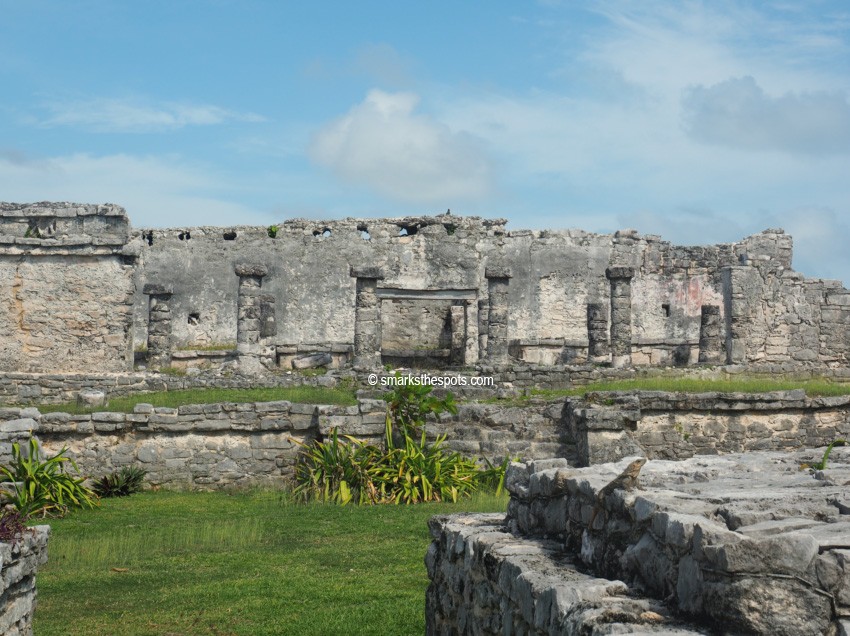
(66, 288)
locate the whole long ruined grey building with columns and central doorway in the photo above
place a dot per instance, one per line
(81, 290)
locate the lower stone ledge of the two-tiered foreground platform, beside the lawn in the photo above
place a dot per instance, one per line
(485, 581)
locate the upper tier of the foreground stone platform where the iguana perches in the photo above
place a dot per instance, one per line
(745, 543)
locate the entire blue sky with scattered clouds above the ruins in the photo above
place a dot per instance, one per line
(699, 121)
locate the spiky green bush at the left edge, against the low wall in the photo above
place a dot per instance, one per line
(44, 486)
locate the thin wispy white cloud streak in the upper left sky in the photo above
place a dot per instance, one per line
(122, 115)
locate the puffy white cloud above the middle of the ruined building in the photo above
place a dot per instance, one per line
(383, 144)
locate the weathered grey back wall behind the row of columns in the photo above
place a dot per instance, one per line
(554, 276)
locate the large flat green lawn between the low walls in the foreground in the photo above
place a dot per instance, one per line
(250, 563)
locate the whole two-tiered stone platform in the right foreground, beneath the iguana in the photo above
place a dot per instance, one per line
(745, 543)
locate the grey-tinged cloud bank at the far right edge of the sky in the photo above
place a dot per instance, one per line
(737, 113)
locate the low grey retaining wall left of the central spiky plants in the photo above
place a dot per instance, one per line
(193, 446)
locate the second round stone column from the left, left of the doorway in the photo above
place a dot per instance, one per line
(253, 356)
